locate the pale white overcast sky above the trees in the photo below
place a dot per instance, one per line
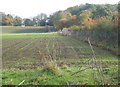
(30, 8)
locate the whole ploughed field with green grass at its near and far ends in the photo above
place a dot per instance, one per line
(37, 57)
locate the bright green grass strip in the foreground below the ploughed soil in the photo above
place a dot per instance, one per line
(41, 77)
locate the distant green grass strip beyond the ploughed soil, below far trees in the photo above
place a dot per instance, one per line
(26, 32)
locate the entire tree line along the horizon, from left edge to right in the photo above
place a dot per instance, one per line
(87, 16)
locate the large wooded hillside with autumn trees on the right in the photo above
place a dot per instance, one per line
(88, 16)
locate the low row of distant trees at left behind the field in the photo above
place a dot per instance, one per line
(11, 20)
